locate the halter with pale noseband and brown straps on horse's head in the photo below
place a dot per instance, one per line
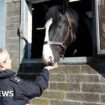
(69, 34)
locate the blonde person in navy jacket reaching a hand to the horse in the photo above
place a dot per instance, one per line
(13, 89)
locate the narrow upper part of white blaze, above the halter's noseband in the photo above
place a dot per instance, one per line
(47, 26)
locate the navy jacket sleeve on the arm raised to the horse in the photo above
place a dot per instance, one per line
(35, 88)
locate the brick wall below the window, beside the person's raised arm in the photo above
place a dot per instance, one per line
(71, 84)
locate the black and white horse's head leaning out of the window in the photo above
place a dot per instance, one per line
(59, 34)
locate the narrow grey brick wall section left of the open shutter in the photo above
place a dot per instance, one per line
(12, 25)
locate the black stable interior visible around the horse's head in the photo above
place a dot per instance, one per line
(83, 45)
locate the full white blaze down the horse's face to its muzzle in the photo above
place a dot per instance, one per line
(47, 51)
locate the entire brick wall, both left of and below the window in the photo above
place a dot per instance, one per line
(79, 84)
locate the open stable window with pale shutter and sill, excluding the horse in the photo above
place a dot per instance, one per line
(33, 18)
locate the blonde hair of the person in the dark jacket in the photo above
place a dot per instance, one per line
(3, 55)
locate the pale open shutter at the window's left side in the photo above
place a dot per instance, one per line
(25, 29)
